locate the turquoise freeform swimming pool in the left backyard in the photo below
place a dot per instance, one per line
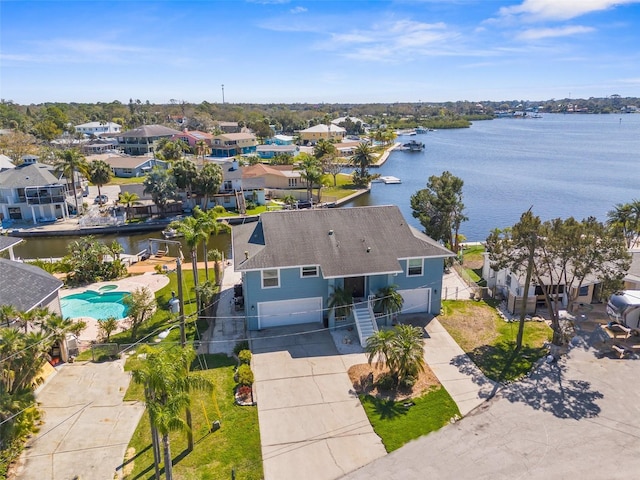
(99, 305)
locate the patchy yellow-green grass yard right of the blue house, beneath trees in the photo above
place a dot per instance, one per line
(490, 341)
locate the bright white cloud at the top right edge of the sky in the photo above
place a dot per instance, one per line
(560, 9)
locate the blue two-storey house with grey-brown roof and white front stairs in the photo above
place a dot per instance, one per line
(291, 261)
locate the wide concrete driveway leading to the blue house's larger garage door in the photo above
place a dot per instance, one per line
(312, 425)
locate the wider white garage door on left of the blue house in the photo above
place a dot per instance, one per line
(289, 312)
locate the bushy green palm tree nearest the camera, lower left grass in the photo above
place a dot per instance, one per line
(167, 382)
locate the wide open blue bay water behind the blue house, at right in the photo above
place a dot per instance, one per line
(561, 165)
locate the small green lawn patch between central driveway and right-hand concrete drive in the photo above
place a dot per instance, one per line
(396, 424)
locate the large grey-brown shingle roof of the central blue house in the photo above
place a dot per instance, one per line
(343, 241)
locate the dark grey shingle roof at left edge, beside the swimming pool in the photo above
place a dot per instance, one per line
(25, 286)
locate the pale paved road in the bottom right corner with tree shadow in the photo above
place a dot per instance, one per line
(578, 419)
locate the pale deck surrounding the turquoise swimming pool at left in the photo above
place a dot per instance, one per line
(150, 279)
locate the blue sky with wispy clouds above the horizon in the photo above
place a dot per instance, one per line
(318, 51)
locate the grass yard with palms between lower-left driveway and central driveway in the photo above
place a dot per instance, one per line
(235, 446)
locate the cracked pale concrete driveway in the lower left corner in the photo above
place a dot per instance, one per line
(87, 426)
